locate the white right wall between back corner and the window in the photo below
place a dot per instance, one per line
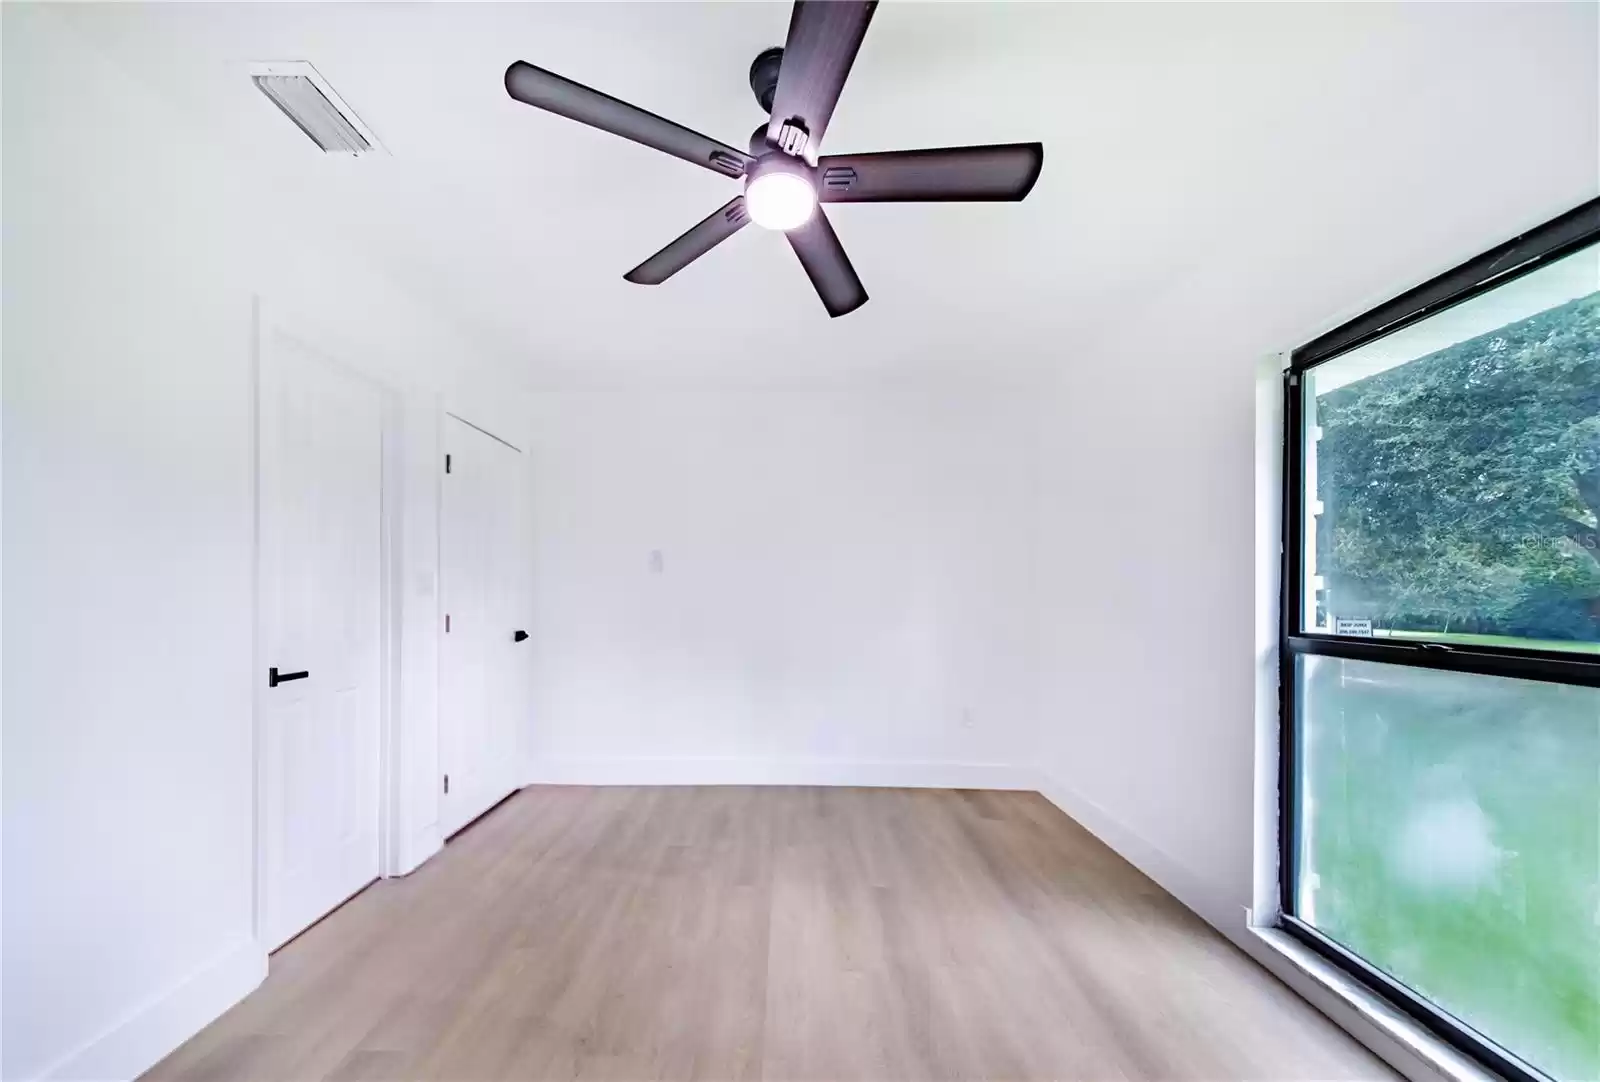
(1148, 606)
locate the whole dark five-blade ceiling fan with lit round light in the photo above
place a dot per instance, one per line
(785, 178)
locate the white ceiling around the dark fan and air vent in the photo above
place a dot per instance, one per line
(1180, 142)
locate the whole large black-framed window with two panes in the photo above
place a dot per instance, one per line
(1442, 652)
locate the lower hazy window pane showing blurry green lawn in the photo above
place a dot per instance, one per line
(1450, 835)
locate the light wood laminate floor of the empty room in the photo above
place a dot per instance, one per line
(769, 934)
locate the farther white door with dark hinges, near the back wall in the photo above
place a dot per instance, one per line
(482, 590)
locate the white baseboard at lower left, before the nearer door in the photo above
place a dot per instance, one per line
(140, 1041)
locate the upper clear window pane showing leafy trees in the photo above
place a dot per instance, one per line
(1454, 471)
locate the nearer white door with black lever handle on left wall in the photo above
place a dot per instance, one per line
(321, 612)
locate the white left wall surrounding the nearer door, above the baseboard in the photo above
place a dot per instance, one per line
(134, 260)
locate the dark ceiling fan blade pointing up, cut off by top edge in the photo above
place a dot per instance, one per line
(825, 38)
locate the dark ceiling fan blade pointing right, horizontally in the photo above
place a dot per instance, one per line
(1004, 172)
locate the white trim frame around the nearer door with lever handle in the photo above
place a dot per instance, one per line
(390, 596)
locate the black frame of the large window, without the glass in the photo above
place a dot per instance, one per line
(1578, 228)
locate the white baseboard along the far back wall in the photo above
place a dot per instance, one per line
(778, 772)
